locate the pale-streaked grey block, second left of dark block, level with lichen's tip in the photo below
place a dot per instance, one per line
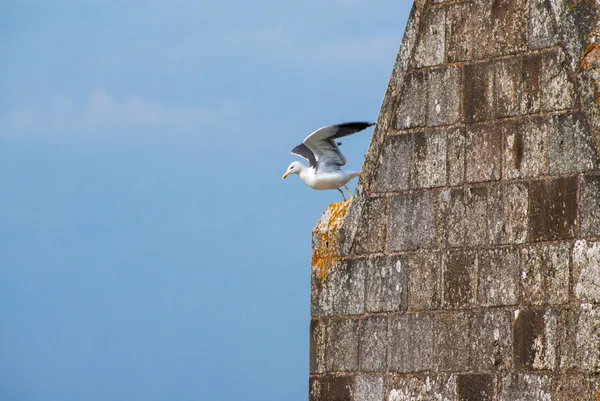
(386, 287)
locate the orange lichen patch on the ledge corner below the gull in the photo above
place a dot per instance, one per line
(325, 234)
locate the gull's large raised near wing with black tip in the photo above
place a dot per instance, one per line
(322, 143)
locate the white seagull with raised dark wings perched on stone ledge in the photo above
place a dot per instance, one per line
(325, 161)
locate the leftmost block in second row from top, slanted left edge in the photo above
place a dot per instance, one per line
(412, 110)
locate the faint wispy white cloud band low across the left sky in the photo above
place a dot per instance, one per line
(103, 114)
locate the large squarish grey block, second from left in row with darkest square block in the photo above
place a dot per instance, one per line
(412, 221)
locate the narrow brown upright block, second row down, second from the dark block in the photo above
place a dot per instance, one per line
(531, 83)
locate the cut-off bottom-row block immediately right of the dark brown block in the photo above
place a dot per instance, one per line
(525, 387)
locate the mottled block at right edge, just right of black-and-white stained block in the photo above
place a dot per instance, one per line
(580, 339)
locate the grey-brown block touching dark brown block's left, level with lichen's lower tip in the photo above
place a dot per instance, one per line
(423, 278)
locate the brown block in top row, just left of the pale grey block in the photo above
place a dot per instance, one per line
(509, 26)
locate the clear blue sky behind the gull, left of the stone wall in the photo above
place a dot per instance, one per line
(149, 249)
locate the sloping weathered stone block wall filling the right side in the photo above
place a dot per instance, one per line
(469, 261)
